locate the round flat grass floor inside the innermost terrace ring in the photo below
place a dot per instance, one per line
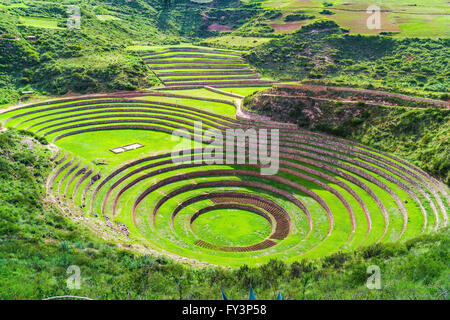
(231, 227)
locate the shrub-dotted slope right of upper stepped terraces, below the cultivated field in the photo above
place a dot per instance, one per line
(326, 52)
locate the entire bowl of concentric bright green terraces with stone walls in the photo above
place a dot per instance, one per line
(329, 194)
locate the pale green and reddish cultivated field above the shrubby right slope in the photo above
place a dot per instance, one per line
(422, 18)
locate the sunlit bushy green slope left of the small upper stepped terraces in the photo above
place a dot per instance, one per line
(60, 61)
